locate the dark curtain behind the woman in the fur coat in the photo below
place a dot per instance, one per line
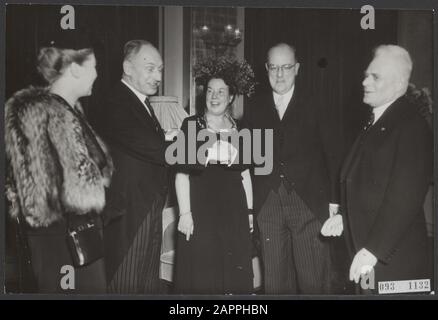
(108, 27)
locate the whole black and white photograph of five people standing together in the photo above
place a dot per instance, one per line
(191, 151)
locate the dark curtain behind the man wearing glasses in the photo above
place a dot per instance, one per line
(333, 52)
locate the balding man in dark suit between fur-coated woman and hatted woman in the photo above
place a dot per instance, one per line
(136, 197)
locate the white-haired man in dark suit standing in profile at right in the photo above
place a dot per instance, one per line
(386, 175)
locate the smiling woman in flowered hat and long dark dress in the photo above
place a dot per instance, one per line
(214, 248)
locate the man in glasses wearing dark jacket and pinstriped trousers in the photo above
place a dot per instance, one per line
(292, 202)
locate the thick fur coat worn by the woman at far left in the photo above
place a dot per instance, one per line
(53, 170)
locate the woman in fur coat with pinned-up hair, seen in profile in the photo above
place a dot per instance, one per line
(59, 169)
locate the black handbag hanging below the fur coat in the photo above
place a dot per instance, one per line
(84, 240)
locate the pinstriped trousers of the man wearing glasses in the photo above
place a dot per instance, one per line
(295, 259)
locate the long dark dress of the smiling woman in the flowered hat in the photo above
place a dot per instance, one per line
(217, 258)
